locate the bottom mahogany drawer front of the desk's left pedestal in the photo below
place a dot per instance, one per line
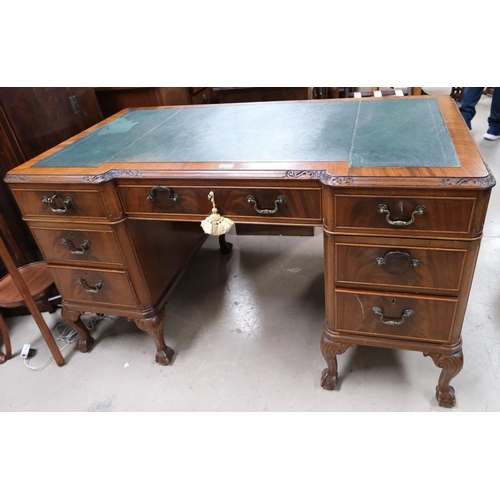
(94, 286)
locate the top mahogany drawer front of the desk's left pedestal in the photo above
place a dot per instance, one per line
(60, 203)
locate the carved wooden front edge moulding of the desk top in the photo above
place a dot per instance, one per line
(323, 176)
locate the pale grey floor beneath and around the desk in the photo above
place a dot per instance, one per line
(246, 331)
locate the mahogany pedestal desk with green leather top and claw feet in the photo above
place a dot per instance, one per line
(397, 184)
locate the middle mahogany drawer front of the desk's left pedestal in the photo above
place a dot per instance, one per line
(76, 245)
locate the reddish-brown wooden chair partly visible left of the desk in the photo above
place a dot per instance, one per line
(24, 286)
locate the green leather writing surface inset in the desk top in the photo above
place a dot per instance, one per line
(385, 133)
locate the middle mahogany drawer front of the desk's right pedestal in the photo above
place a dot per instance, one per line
(432, 270)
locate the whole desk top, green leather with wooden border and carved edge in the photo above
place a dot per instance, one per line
(349, 139)
